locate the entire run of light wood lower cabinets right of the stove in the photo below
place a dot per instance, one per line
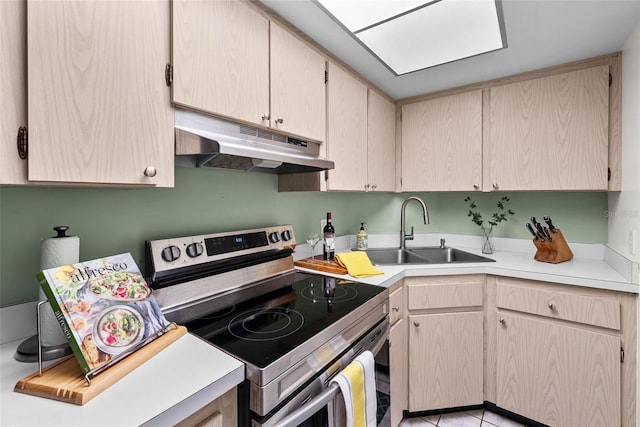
(558, 354)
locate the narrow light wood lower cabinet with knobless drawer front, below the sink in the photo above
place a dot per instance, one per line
(445, 341)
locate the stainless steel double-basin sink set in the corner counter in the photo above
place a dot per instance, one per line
(422, 255)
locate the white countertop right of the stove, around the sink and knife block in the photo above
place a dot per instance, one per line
(589, 272)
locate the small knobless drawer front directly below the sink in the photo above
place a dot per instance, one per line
(424, 296)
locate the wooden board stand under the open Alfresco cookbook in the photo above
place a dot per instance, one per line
(64, 380)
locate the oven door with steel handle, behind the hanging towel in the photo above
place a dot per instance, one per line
(313, 405)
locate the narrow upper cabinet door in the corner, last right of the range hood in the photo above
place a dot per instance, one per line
(381, 147)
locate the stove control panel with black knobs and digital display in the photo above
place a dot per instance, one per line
(168, 254)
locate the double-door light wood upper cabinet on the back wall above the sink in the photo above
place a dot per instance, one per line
(556, 129)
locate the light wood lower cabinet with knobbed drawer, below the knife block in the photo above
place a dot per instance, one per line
(562, 355)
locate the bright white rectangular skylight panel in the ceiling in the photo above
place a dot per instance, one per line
(410, 35)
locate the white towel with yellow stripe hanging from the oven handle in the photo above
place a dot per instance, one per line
(358, 386)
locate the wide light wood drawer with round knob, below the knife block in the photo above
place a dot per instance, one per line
(575, 307)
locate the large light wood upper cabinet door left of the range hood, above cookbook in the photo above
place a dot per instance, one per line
(98, 104)
